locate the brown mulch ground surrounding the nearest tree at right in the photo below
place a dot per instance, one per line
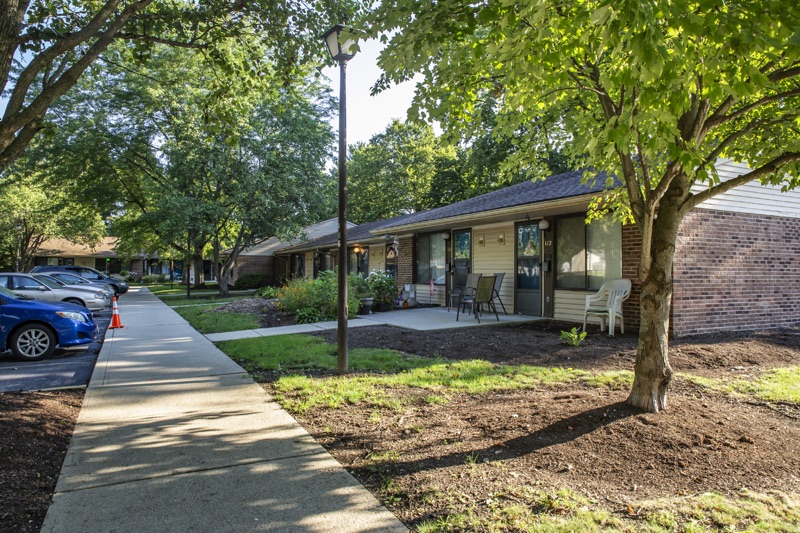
(586, 439)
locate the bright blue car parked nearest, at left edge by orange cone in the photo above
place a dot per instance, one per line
(32, 329)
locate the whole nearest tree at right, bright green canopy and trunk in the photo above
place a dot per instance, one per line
(654, 92)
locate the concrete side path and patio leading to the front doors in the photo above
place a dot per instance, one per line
(426, 319)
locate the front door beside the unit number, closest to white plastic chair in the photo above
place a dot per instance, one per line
(528, 286)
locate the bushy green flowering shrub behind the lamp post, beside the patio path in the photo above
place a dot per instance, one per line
(320, 294)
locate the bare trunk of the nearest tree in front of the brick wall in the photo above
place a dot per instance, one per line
(652, 372)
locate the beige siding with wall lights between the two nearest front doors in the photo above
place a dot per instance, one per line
(495, 257)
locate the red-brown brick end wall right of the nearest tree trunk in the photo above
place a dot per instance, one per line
(736, 271)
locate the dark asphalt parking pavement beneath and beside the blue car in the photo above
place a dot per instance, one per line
(63, 369)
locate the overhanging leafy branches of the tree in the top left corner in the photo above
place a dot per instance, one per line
(46, 45)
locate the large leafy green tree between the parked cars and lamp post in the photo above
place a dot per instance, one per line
(180, 171)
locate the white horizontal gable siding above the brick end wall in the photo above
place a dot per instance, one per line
(752, 198)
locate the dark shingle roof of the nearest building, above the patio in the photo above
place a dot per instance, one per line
(554, 187)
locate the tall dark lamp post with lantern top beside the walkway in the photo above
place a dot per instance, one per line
(341, 42)
